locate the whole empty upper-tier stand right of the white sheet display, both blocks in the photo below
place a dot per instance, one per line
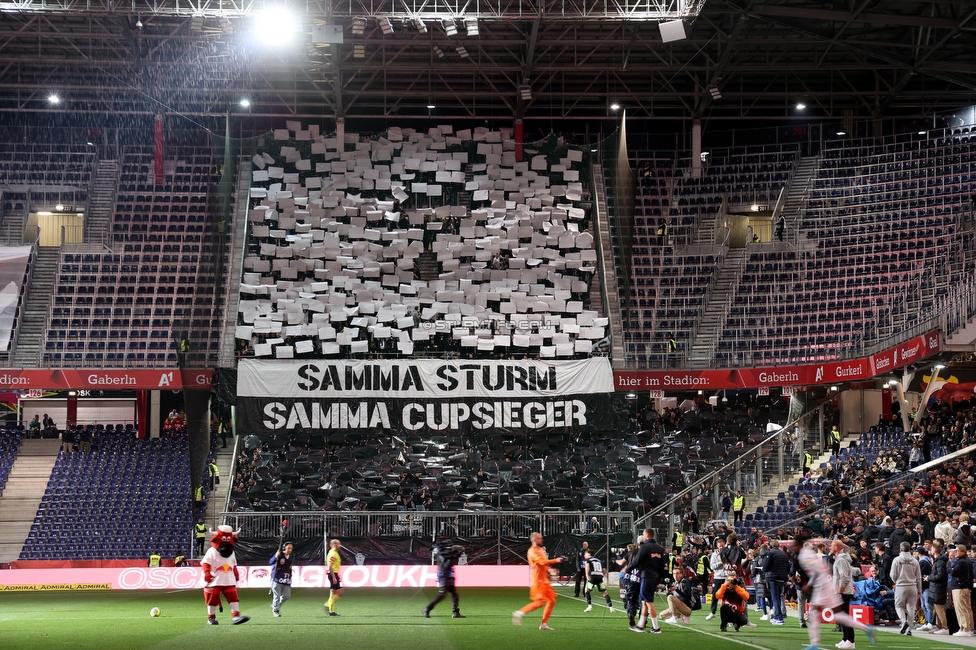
(883, 238)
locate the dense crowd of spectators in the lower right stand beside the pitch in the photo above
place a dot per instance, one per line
(876, 511)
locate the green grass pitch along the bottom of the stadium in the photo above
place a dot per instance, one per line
(370, 618)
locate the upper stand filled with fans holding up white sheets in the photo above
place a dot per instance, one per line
(418, 243)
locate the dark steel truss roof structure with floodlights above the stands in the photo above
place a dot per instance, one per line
(547, 59)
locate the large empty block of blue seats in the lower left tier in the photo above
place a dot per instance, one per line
(96, 500)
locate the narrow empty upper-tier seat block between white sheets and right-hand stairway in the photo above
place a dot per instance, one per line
(672, 276)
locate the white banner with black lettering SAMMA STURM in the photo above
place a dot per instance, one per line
(422, 378)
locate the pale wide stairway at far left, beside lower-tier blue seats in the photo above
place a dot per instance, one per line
(25, 487)
